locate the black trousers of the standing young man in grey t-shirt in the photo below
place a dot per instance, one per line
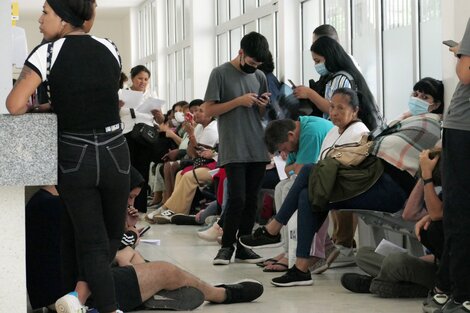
(244, 183)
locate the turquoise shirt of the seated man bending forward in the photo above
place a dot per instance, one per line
(313, 130)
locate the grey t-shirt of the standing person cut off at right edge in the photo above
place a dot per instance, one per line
(458, 113)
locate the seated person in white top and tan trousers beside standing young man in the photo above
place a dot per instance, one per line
(202, 142)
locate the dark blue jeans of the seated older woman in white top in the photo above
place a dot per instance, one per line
(385, 195)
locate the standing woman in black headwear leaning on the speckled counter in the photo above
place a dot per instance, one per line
(83, 74)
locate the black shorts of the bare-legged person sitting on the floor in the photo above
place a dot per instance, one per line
(126, 287)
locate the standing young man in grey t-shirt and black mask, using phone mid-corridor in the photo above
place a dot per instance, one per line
(238, 94)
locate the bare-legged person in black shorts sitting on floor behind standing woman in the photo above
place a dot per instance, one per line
(135, 284)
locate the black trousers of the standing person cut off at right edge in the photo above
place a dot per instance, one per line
(456, 221)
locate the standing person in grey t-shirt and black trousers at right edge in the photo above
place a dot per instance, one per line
(453, 281)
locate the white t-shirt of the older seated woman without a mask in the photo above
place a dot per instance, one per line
(352, 134)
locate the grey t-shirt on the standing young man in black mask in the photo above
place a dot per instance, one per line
(240, 130)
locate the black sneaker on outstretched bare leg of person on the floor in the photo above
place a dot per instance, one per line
(245, 290)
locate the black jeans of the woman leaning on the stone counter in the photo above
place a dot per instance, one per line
(94, 185)
